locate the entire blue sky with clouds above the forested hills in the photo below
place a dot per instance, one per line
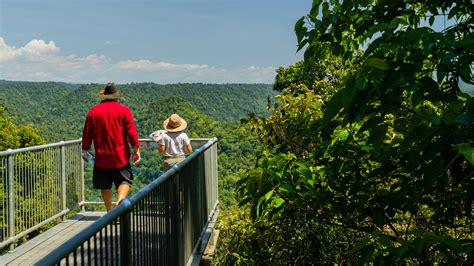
(123, 41)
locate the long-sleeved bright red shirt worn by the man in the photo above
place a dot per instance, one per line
(110, 125)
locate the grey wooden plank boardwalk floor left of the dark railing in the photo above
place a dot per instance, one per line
(38, 247)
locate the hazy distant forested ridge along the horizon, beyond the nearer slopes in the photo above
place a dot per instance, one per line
(58, 109)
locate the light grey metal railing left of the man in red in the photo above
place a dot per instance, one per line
(38, 185)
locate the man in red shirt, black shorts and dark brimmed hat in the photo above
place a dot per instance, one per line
(110, 126)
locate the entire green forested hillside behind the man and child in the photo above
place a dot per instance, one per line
(58, 111)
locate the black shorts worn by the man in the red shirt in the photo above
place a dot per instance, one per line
(102, 178)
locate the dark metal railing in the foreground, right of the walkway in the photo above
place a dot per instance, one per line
(162, 224)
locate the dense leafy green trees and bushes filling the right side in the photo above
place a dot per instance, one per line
(386, 153)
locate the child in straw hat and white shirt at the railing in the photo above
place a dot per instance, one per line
(174, 143)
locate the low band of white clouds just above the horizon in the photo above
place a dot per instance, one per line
(41, 60)
